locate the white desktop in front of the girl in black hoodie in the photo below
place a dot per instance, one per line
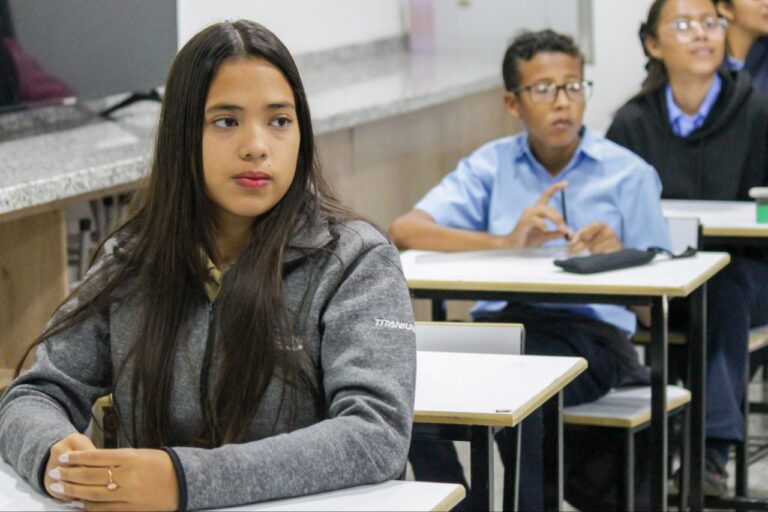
(719, 218)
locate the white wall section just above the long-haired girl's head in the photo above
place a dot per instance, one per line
(303, 25)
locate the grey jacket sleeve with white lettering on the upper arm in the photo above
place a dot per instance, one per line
(368, 360)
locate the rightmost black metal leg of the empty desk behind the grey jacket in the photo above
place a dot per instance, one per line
(553, 453)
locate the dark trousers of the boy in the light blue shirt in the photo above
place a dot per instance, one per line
(560, 334)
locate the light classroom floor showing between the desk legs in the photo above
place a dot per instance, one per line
(758, 472)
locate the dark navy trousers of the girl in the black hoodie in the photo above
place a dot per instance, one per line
(737, 300)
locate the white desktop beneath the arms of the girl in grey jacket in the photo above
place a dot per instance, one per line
(16, 494)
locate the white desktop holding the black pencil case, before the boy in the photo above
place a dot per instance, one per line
(534, 271)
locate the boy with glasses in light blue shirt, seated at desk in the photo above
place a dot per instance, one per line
(507, 194)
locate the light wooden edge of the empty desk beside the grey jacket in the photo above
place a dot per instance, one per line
(504, 419)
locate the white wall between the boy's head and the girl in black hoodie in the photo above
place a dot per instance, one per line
(619, 66)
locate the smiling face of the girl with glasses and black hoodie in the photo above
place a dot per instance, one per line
(690, 38)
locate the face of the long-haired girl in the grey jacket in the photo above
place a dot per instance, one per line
(250, 139)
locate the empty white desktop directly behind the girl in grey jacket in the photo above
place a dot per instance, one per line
(487, 389)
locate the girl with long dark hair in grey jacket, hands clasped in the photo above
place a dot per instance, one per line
(234, 317)
